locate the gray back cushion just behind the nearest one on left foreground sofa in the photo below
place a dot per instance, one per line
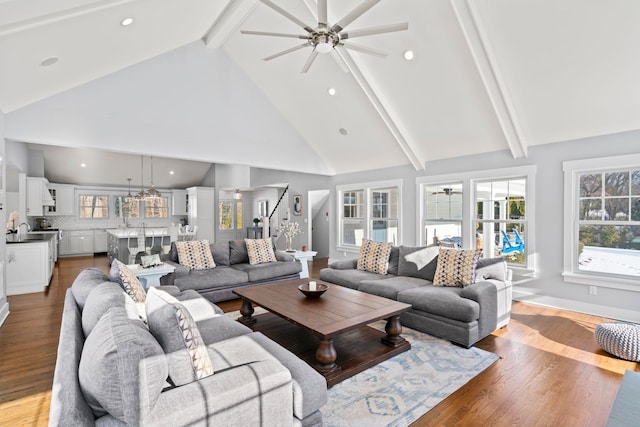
(103, 297)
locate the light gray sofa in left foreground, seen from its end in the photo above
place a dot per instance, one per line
(111, 370)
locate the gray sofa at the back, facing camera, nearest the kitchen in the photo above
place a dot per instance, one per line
(232, 271)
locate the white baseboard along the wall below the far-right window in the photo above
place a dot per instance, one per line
(580, 307)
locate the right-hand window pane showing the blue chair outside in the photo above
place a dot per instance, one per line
(501, 225)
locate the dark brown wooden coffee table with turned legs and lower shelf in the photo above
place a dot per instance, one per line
(329, 332)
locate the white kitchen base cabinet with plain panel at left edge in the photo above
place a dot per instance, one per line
(29, 267)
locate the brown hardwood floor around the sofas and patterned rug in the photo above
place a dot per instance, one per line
(551, 372)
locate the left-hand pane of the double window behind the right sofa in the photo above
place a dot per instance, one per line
(442, 220)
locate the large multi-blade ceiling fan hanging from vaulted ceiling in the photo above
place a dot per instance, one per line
(325, 39)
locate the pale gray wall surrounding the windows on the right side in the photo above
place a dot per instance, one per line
(548, 287)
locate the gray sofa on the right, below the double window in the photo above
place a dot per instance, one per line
(463, 315)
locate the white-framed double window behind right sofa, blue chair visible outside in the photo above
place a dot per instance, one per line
(481, 210)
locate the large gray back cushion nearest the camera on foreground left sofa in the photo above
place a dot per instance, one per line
(122, 369)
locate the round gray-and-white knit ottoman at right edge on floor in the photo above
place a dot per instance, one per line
(620, 339)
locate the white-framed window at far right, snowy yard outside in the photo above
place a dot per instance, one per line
(603, 221)
